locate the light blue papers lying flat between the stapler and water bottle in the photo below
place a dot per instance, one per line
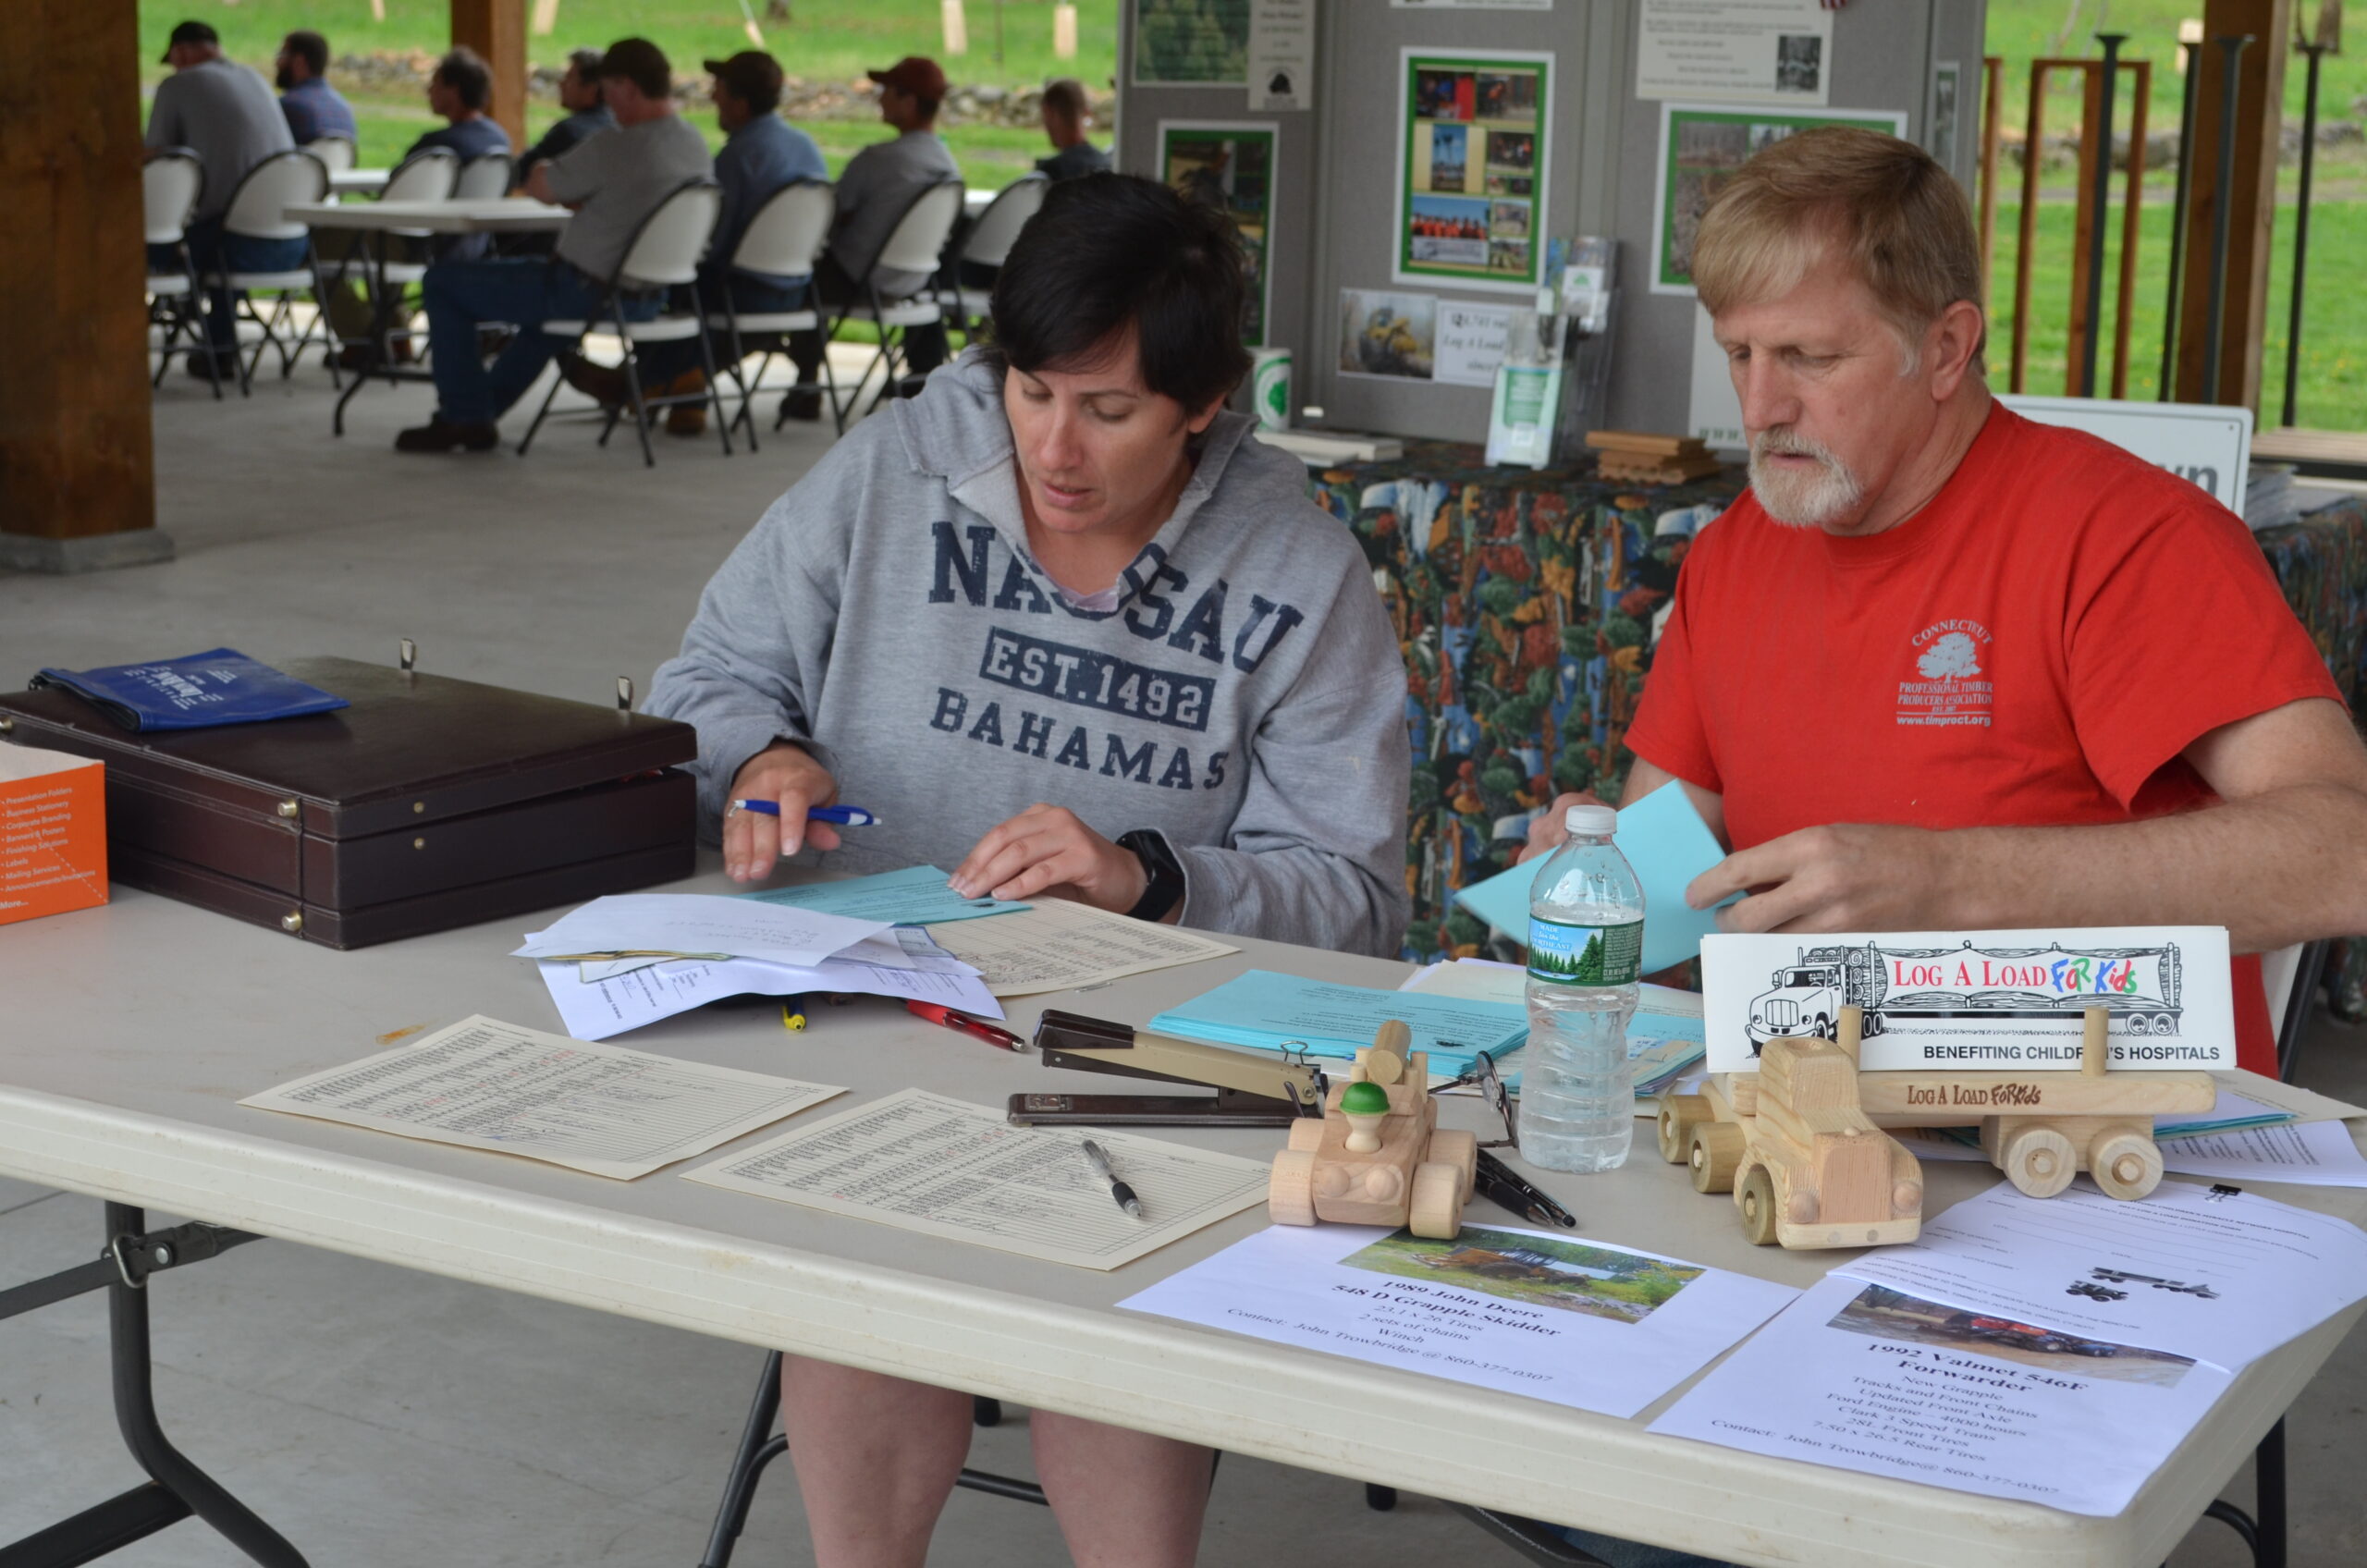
(1263, 1010)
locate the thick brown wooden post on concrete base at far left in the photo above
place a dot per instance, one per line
(77, 458)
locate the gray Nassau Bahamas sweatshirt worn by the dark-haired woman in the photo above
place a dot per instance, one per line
(1237, 690)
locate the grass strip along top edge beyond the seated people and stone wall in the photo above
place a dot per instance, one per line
(825, 39)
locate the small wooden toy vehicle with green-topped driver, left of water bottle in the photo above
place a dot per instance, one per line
(1379, 1155)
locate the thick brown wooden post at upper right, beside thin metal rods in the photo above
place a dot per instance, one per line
(2252, 181)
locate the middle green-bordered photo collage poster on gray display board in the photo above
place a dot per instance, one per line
(1471, 191)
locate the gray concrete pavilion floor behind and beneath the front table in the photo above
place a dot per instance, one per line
(389, 1420)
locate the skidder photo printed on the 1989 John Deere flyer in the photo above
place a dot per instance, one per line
(1535, 1271)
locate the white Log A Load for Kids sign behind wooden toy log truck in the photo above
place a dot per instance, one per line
(1978, 1001)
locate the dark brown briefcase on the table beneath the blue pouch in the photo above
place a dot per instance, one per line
(427, 804)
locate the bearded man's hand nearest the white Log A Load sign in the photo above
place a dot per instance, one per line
(1840, 880)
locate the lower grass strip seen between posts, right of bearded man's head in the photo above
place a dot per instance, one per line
(2335, 330)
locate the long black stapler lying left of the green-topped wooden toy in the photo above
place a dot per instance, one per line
(1251, 1091)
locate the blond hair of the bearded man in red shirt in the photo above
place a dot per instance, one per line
(1843, 195)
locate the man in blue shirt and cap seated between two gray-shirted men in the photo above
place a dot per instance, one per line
(761, 155)
